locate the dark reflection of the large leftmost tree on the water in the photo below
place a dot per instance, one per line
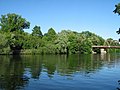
(11, 73)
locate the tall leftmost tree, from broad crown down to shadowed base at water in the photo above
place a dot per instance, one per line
(14, 24)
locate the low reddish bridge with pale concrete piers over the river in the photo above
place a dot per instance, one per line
(102, 48)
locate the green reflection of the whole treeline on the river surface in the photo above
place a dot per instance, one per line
(16, 71)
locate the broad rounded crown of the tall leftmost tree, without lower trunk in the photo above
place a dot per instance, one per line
(13, 22)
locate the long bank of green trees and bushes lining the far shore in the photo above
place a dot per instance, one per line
(13, 39)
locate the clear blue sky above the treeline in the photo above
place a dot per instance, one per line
(77, 15)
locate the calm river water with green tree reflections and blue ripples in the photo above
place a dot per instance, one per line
(55, 72)
